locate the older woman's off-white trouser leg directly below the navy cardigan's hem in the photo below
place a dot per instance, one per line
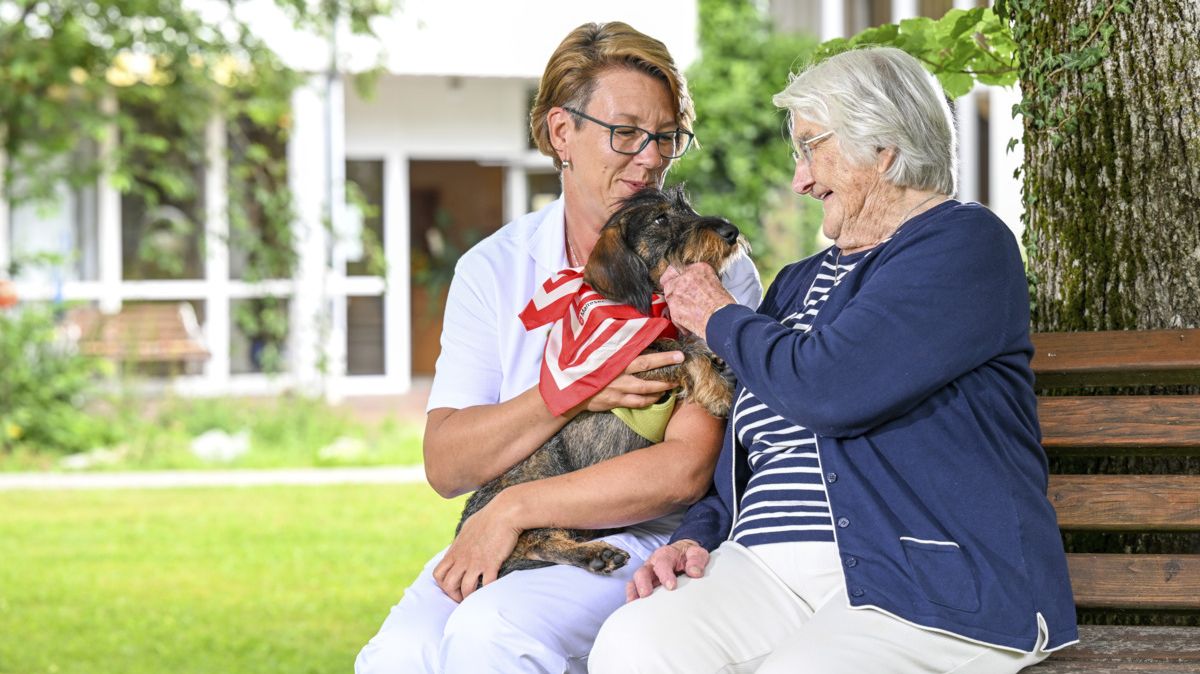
(847, 641)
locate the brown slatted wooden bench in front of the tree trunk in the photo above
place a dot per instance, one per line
(1094, 423)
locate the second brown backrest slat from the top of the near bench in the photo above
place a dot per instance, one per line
(1111, 425)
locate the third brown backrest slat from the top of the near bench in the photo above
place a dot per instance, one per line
(1127, 503)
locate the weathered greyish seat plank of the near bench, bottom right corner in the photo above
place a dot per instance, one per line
(1103, 649)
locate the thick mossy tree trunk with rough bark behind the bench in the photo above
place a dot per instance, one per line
(1113, 212)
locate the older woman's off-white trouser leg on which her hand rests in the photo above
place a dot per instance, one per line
(727, 622)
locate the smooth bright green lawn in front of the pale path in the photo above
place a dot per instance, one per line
(289, 580)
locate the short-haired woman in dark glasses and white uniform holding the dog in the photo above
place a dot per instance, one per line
(613, 112)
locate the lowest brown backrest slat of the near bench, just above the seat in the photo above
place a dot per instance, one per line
(1136, 581)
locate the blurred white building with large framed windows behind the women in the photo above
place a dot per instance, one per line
(441, 153)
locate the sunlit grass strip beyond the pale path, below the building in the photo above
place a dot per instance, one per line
(285, 432)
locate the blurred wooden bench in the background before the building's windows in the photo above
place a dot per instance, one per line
(160, 335)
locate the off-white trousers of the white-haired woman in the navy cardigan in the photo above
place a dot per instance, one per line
(764, 612)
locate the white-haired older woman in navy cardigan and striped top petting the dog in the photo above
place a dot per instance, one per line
(880, 500)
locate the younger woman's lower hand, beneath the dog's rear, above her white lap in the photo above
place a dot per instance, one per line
(484, 543)
